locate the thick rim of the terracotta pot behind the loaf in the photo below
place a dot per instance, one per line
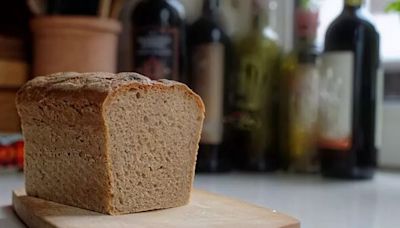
(45, 23)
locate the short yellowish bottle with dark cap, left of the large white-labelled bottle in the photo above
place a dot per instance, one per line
(302, 113)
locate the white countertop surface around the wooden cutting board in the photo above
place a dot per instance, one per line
(316, 202)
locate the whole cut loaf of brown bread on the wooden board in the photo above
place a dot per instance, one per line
(110, 143)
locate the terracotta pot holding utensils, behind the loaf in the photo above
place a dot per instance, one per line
(70, 43)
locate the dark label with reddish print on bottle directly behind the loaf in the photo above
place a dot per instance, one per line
(156, 53)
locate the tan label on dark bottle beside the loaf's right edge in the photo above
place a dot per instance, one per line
(208, 80)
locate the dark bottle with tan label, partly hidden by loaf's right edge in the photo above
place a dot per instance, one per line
(207, 48)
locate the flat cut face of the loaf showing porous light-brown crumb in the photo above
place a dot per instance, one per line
(153, 147)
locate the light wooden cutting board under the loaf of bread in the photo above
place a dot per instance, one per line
(204, 210)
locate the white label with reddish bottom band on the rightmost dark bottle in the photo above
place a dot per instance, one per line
(336, 100)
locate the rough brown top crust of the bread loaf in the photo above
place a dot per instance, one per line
(101, 84)
